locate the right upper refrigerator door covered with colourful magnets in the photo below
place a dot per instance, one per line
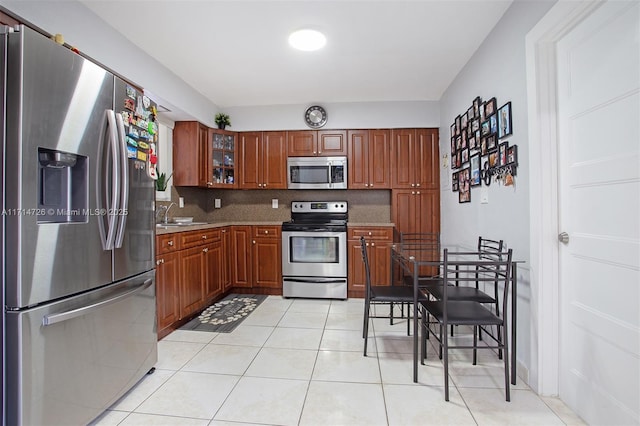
(134, 249)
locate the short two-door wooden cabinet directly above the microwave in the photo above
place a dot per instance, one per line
(317, 143)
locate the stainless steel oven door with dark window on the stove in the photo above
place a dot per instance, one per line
(314, 254)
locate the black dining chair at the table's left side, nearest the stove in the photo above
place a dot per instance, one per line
(380, 295)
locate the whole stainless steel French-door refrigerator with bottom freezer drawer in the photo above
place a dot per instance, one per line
(79, 318)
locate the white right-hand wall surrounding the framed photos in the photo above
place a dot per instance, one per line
(497, 69)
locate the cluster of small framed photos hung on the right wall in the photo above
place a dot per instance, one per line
(477, 153)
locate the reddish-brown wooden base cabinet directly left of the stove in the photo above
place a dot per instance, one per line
(267, 257)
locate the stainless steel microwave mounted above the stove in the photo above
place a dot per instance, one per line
(317, 173)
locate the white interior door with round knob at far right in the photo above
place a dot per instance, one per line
(599, 201)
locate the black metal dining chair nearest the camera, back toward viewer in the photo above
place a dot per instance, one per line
(460, 269)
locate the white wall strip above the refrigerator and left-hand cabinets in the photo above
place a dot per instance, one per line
(82, 29)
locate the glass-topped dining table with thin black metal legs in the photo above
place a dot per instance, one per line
(424, 260)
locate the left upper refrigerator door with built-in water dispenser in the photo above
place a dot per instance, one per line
(56, 109)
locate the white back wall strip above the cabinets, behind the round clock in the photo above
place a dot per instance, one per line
(346, 115)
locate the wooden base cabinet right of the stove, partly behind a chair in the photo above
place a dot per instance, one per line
(379, 239)
